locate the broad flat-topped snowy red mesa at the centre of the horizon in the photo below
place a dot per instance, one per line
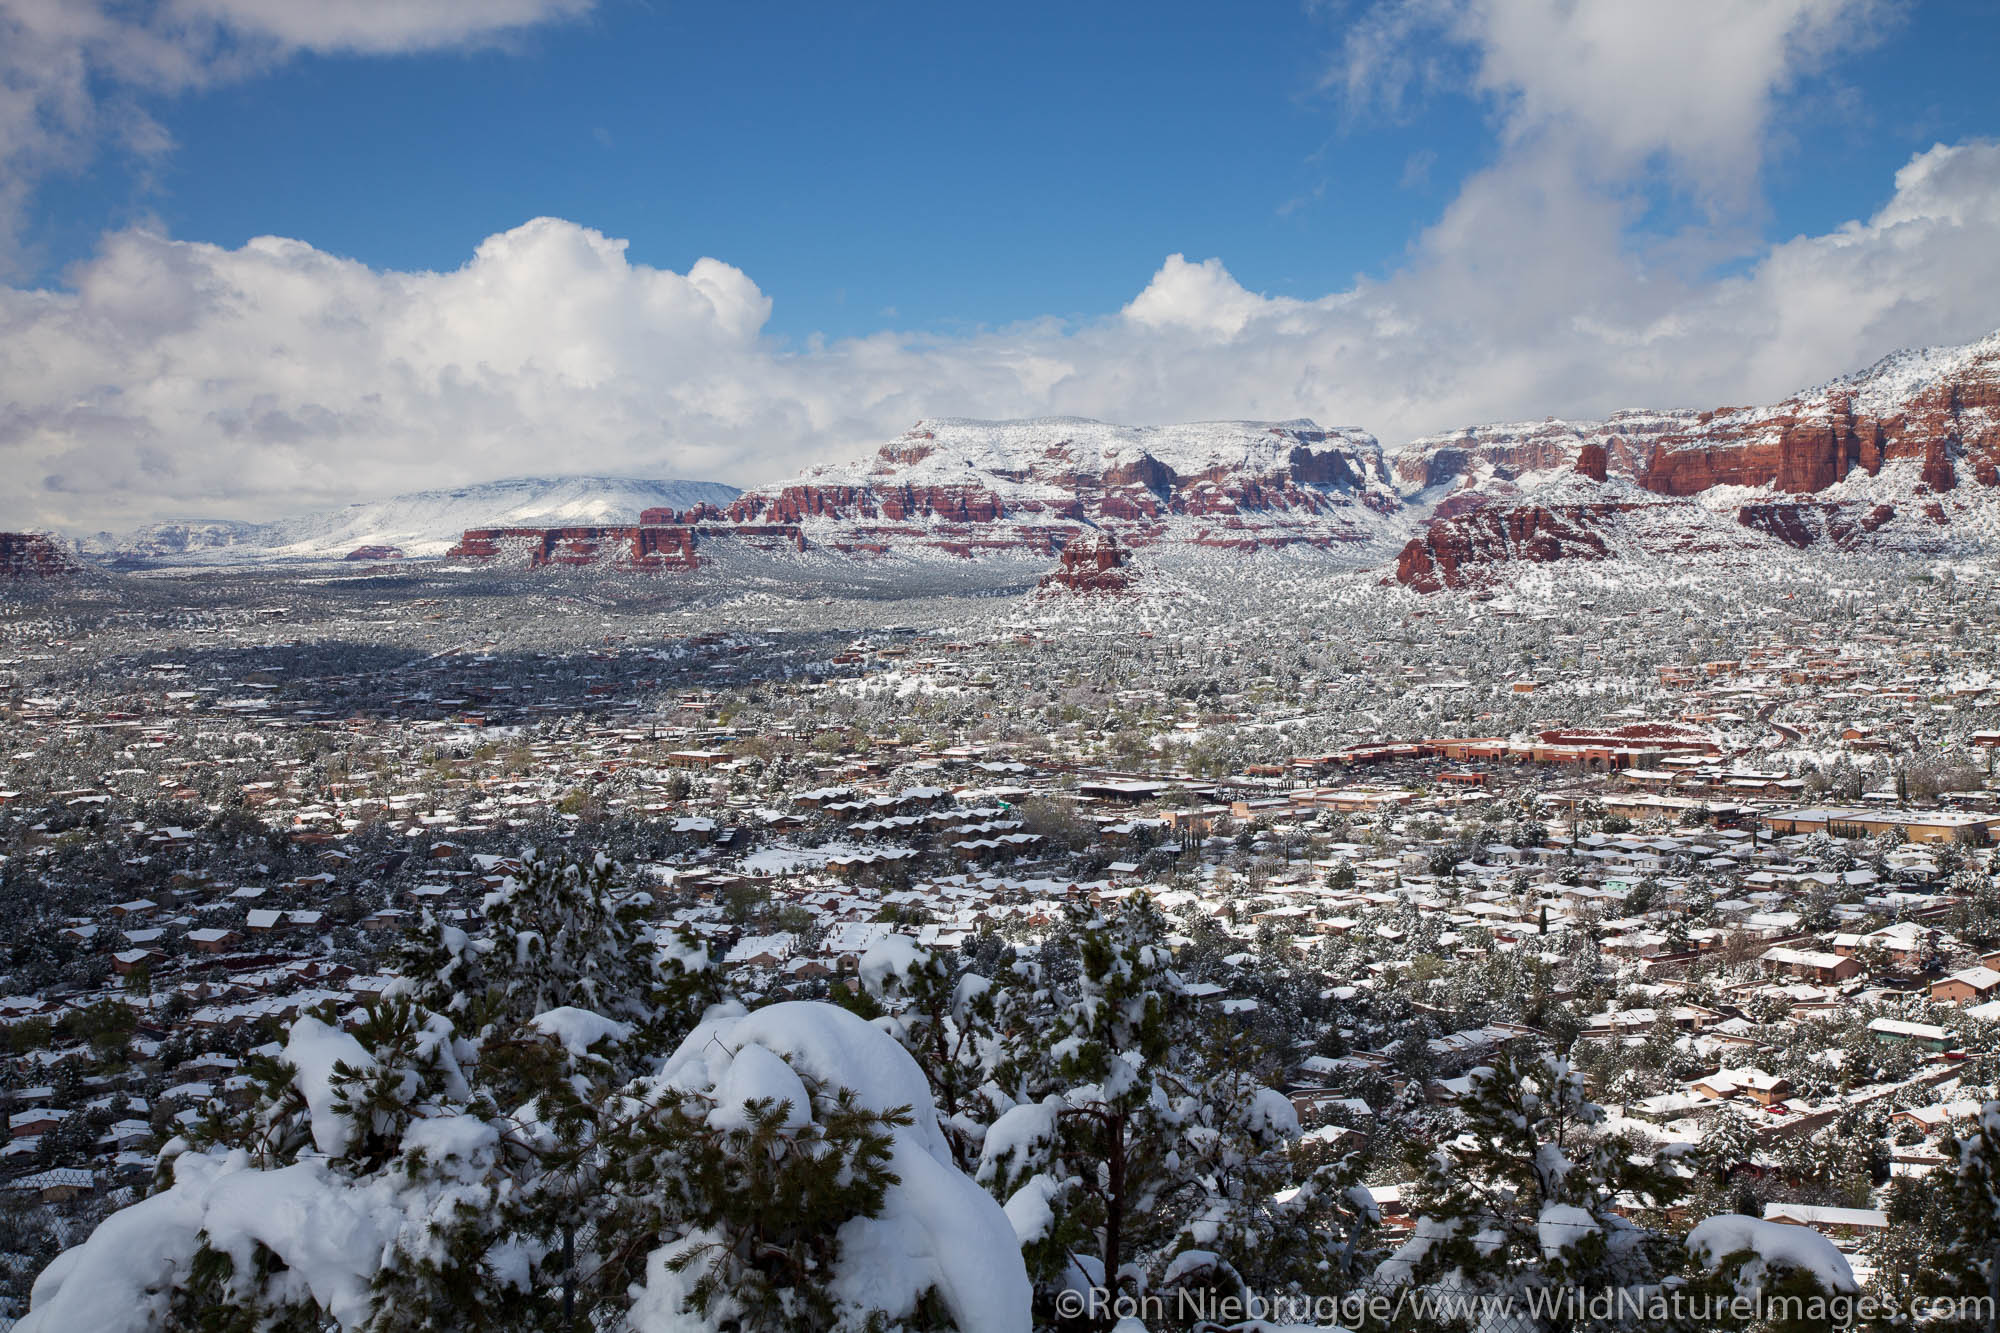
(969, 487)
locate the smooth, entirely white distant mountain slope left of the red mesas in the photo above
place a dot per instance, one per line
(423, 523)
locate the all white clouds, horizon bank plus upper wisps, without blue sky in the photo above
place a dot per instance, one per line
(177, 379)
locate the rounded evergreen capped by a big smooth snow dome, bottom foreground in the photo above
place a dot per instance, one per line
(787, 1170)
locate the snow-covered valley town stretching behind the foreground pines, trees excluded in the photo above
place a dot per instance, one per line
(1723, 852)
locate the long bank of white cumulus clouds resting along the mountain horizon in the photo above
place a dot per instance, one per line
(191, 379)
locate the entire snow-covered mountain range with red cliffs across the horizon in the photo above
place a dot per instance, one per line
(1903, 455)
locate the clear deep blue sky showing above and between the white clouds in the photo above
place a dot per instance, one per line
(925, 167)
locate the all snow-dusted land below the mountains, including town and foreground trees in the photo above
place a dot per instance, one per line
(907, 946)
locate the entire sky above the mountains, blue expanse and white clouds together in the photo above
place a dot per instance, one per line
(733, 241)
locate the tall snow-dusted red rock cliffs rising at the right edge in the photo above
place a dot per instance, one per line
(1905, 455)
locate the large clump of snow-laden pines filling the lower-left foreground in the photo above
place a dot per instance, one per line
(487, 1164)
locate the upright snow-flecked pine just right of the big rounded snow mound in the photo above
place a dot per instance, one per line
(1141, 1150)
